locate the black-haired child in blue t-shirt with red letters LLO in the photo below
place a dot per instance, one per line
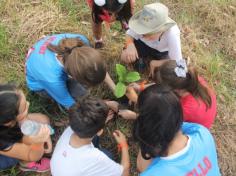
(167, 145)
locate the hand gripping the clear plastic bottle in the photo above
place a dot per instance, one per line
(42, 136)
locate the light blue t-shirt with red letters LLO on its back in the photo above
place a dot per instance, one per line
(197, 158)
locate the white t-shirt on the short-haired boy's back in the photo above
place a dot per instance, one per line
(83, 161)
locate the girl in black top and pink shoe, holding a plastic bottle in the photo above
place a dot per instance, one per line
(14, 146)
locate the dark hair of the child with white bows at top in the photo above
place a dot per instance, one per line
(123, 10)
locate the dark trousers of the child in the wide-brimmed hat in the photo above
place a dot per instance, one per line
(147, 52)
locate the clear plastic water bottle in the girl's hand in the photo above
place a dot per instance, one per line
(30, 127)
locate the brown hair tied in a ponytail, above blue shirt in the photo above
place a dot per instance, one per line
(81, 62)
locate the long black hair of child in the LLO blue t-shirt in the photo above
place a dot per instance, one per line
(160, 118)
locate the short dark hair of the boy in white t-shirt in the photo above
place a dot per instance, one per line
(88, 116)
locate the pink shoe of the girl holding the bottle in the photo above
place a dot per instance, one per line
(42, 165)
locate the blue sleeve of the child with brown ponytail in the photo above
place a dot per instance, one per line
(59, 92)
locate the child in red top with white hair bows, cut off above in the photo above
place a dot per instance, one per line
(109, 11)
